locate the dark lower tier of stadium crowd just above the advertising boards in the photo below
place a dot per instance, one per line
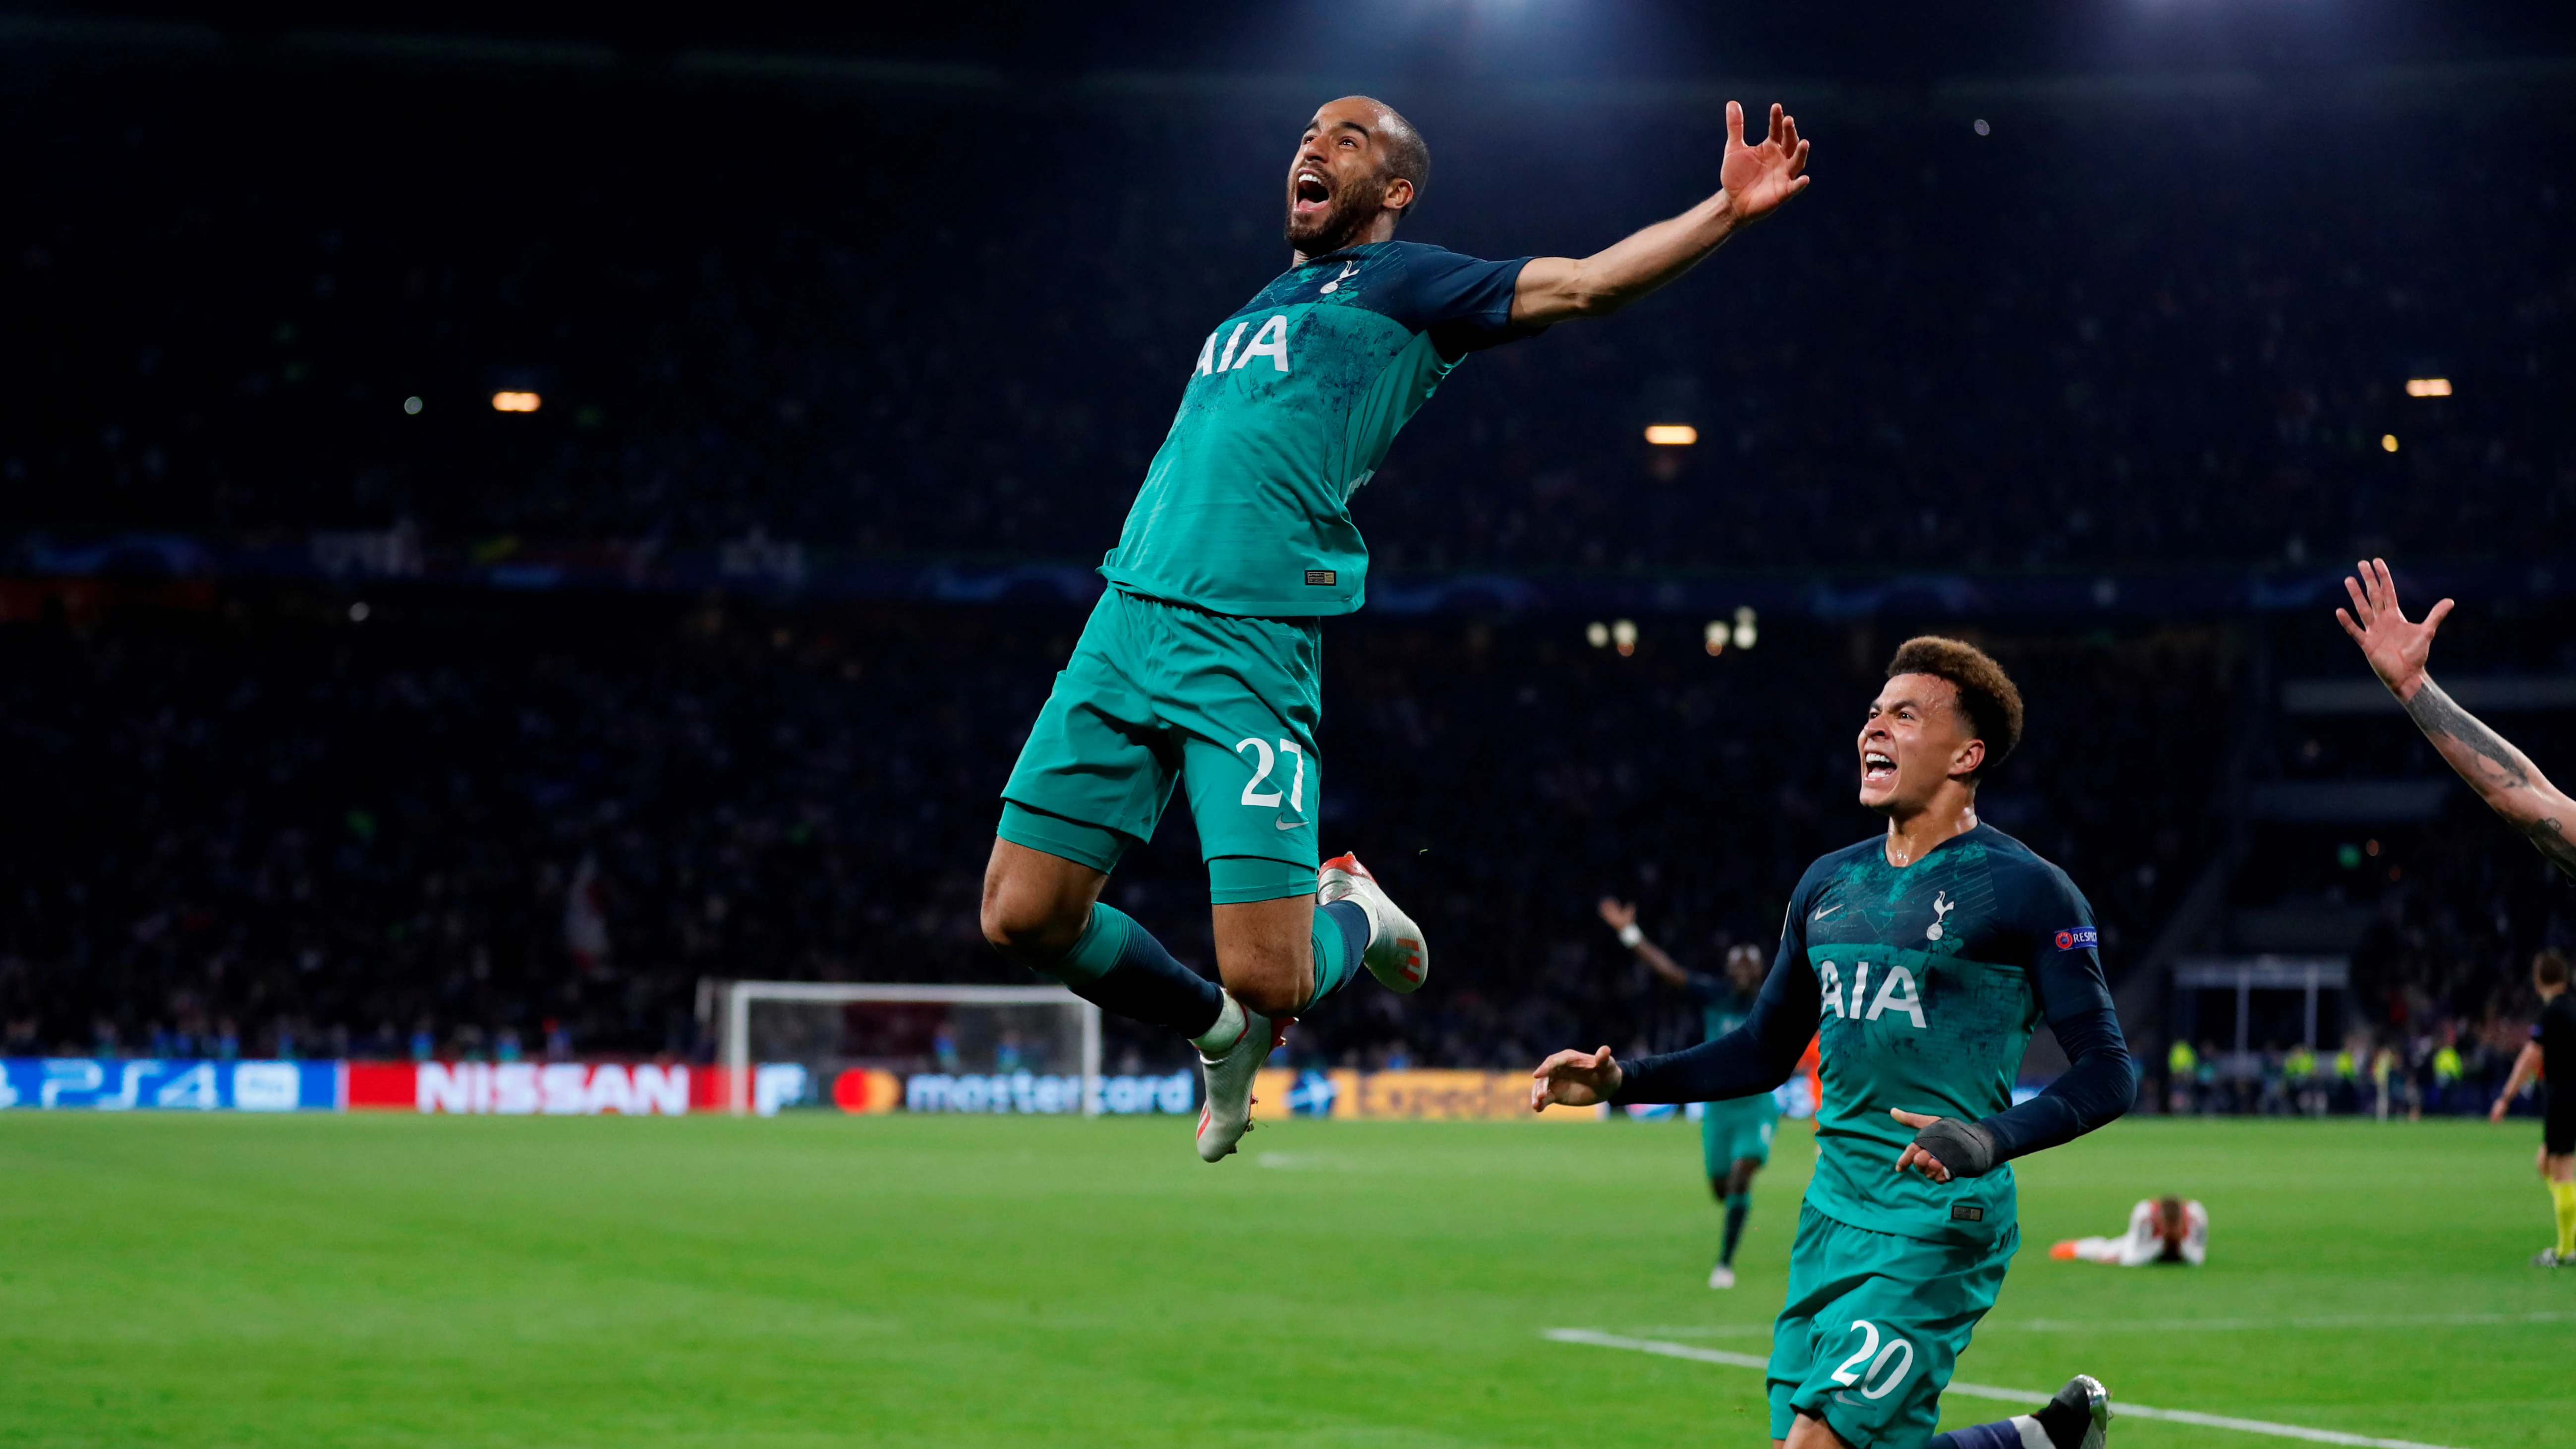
(480, 821)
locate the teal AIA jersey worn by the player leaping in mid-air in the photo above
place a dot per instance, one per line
(1289, 411)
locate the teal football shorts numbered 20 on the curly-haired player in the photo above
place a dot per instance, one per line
(1874, 1327)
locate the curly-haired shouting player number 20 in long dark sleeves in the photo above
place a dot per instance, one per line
(1923, 960)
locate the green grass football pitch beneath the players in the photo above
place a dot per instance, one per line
(1047, 1283)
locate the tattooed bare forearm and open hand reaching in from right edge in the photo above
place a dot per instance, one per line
(2505, 777)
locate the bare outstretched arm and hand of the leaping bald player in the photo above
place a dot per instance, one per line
(1753, 184)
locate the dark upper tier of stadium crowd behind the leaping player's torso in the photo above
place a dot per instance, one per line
(2026, 347)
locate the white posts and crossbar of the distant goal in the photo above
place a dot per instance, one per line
(1001, 1030)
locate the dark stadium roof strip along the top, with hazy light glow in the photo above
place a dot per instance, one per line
(1859, 66)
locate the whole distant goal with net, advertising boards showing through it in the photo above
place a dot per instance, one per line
(926, 1048)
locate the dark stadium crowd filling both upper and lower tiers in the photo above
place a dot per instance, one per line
(483, 824)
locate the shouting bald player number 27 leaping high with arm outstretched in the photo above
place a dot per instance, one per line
(1202, 666)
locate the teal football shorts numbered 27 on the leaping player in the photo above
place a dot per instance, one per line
(1166, 695)
